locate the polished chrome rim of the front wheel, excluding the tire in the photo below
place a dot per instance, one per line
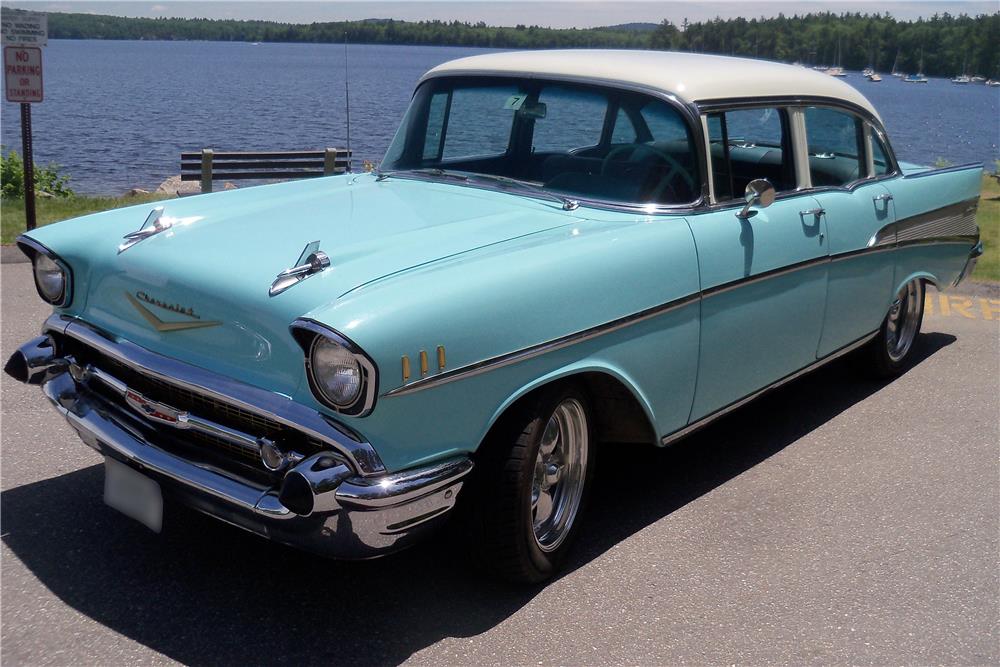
(560, 473)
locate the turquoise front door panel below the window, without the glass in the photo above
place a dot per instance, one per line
(764, 285)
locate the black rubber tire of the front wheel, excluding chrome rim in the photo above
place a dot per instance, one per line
(502, 526)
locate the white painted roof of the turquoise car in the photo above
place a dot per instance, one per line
(692, 77)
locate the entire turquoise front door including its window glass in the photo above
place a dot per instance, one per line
(763, 278)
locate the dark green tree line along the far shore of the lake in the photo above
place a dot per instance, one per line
(946, 44)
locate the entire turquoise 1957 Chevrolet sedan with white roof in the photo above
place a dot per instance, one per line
(559, 248)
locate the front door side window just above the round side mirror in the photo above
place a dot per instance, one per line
(748, 144)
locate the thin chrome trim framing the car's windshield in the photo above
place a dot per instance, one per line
(689, 113)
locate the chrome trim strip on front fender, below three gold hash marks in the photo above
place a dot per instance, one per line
(533, 351)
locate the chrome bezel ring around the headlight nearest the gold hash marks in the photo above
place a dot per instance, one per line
(308, 334)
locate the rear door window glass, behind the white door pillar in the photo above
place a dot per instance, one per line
(835, 140)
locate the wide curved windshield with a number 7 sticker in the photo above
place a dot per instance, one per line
(574, 140)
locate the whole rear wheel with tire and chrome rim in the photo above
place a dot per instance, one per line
(890, 352)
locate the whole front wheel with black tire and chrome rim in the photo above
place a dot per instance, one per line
(536, 471)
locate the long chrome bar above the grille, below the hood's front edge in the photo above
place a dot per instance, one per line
(280, 408)
